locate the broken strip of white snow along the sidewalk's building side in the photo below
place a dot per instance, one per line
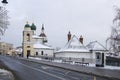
(90, 65)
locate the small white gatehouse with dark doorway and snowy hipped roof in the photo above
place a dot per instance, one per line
(98, 51)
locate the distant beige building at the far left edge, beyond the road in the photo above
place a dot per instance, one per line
(5, 47)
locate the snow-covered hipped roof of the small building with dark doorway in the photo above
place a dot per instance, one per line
(95, 45)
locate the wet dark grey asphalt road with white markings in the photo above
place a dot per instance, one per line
(26, 70)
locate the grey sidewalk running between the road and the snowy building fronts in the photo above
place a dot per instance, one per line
(96, 71)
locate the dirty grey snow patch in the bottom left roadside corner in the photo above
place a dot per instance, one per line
(6, 75)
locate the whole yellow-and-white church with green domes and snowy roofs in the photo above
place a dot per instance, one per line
(35, 45)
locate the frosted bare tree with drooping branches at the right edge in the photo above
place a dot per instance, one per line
(114, 39)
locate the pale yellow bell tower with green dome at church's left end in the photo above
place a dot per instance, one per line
(27, 41)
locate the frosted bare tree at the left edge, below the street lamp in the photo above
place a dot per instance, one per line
(3, 20)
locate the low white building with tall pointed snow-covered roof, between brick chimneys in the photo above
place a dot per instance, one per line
(74, 49)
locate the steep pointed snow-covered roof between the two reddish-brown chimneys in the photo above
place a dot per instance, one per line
(74, 45)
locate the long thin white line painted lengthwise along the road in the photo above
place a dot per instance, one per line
(43, 72)
